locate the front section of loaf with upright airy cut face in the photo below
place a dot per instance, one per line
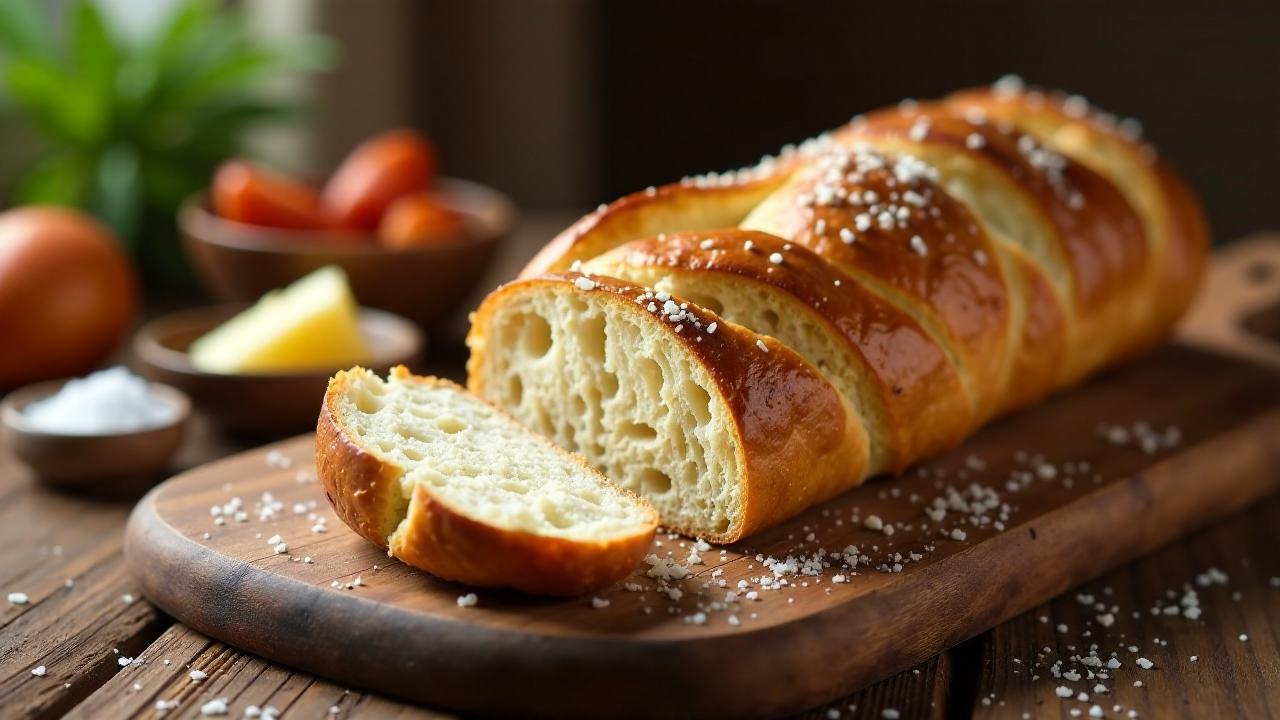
(725, 431)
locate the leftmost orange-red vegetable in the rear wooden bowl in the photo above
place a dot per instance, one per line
(248, 194)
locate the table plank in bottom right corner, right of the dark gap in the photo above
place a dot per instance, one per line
(1224, 663)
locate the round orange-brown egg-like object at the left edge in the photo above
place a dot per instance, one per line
(67, 294)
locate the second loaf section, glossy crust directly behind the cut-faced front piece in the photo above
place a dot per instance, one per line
(911, 408)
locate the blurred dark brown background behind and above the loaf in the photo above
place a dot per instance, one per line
(570, 103)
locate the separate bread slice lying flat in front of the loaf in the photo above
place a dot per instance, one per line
(454, 486)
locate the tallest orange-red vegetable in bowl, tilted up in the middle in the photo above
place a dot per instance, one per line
(376, 175)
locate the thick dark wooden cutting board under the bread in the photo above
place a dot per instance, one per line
(1078, 505)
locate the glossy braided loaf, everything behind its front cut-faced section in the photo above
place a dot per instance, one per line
(1050, 243)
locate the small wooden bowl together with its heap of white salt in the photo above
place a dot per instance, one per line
(108, 434)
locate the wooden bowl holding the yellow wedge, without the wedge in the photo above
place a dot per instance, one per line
(268, 404)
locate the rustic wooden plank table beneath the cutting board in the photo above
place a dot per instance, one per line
(88, 645)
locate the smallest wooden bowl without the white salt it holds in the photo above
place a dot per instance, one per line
(115, 464)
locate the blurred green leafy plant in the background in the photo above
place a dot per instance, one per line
(132, 127)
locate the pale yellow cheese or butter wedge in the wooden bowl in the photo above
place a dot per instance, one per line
(313, 325)
